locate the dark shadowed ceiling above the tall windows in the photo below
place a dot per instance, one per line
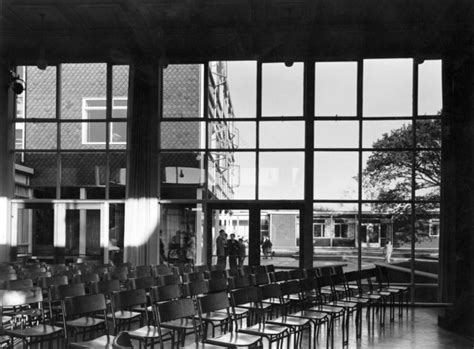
(194, 30)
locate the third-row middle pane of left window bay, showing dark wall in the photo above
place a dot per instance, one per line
(83, 175)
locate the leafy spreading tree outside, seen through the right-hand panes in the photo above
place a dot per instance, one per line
(388, 176)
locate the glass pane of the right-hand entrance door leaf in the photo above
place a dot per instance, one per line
(279, 237)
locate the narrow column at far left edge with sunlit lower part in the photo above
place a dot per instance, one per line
(7, 184)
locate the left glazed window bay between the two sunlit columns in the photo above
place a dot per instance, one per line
(71, 128)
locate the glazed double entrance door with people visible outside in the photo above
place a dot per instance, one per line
(254, 226)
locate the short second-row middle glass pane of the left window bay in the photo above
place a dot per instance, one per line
(86, 135)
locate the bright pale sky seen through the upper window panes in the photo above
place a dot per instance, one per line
(387, 91)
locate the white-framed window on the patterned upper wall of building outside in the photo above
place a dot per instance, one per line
(95, 109)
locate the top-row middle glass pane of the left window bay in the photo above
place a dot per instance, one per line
(79, 83)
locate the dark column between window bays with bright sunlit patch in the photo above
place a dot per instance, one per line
(141, 243)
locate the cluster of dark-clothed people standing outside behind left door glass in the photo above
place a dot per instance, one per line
(230, 247)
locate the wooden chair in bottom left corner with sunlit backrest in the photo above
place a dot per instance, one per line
(28, 319)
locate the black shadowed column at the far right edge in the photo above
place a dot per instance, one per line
(456, 248)
